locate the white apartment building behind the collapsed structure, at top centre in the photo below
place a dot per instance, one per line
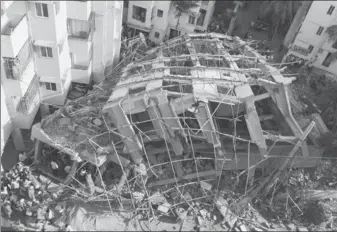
(158, 20)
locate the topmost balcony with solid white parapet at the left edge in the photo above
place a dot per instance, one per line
(13, 36)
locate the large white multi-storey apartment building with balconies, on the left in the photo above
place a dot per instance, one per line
(47, 45)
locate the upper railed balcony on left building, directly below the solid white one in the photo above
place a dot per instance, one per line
(14, 67)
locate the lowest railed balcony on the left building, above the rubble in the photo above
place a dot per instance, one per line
(29, 99)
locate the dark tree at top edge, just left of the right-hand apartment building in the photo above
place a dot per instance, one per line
(279, 12)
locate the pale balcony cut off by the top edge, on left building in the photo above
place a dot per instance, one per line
(80, 10)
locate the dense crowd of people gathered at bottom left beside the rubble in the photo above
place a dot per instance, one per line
(25, 198)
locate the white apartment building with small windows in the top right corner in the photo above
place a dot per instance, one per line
(311, 42)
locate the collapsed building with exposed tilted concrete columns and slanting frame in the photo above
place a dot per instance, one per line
(184, 111)
